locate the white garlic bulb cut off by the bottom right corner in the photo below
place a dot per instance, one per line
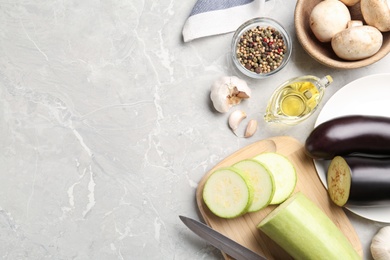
(380, 244)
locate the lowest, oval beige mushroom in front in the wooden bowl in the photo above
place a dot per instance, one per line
(357, 42)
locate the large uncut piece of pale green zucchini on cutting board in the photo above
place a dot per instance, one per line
(305, 232)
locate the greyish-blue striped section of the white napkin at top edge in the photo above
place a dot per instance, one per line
(203, 6)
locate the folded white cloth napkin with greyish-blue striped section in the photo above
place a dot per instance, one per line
(212, 17)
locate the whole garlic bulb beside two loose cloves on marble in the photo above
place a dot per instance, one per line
(228, 91)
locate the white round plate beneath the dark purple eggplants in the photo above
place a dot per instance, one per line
(365, 96)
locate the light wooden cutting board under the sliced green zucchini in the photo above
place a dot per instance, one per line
(243, 229)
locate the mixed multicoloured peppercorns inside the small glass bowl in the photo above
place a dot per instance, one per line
(261, 49)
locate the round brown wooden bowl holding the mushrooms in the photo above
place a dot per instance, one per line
(322, 52)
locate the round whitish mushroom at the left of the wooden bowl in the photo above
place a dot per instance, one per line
(327, 18)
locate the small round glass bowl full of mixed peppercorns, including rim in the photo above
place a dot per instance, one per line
(261, 47)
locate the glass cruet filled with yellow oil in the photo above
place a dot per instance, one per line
(296, 99)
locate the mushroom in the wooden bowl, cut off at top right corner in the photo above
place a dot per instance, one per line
(376, 13)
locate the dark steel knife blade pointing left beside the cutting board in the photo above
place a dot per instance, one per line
(220, 241)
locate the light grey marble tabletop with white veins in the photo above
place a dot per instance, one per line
(106, 126)
